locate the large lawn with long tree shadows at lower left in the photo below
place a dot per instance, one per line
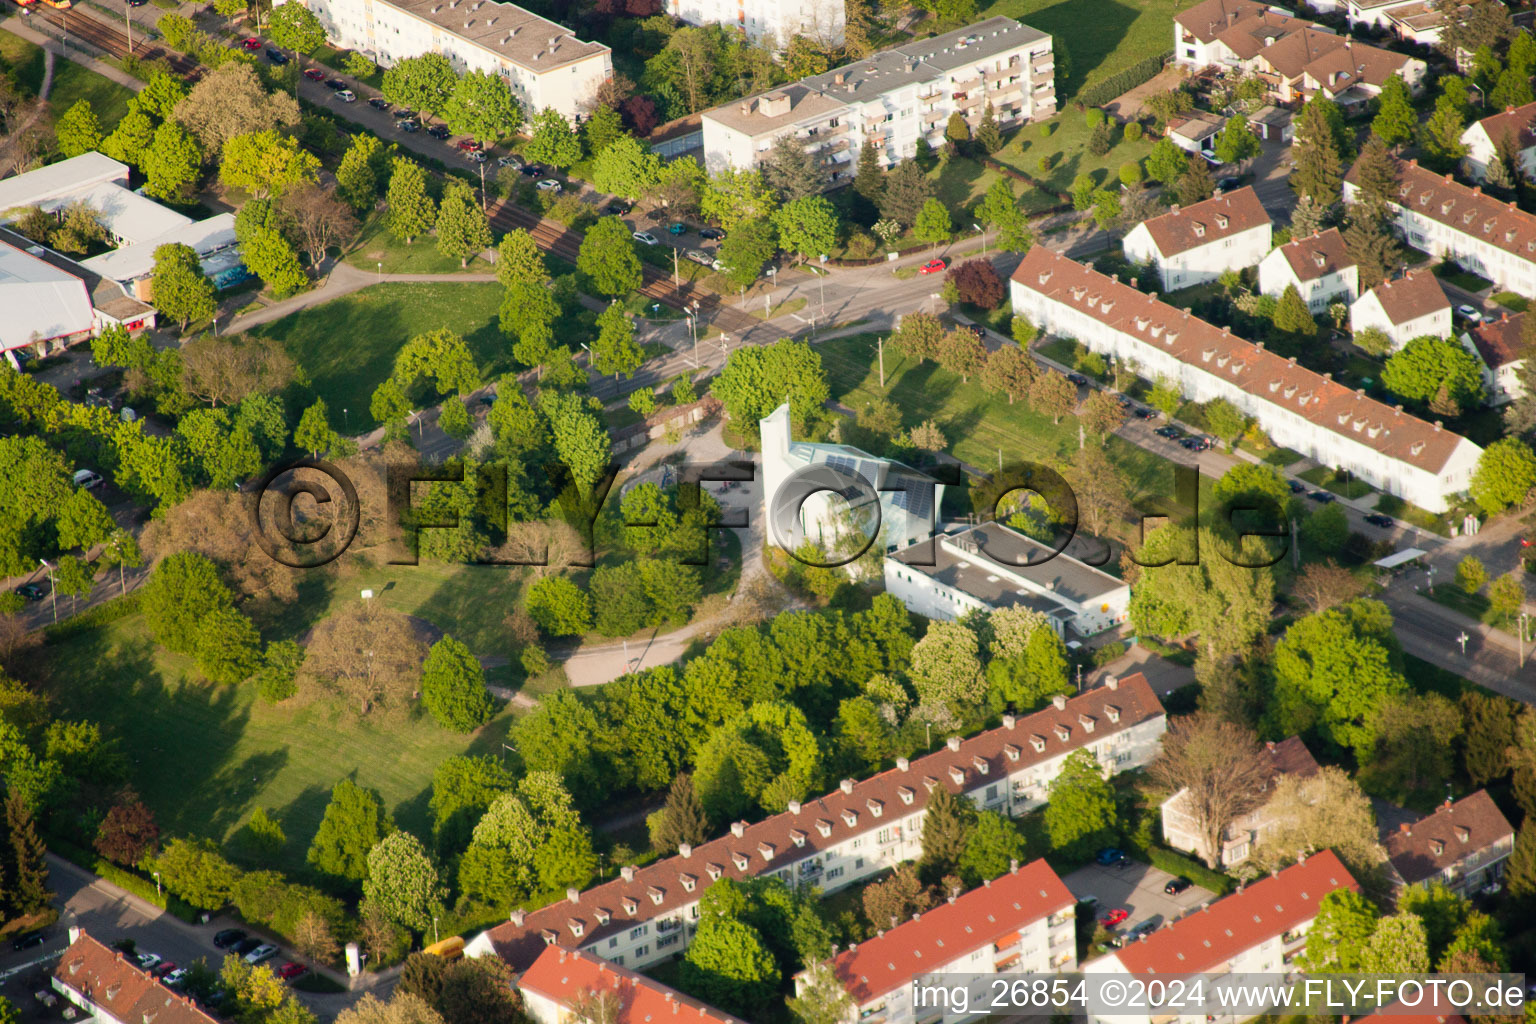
(205, 758)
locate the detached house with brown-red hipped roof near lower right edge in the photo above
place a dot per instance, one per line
(1463, 845)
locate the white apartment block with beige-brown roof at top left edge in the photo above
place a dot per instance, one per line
(545, 65)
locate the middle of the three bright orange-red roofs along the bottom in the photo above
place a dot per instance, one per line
(993, 914)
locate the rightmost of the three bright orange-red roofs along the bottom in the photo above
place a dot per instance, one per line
(1208, 939)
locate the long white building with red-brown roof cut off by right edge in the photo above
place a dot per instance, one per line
(1440, 216)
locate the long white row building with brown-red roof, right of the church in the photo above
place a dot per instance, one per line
(1299, 409)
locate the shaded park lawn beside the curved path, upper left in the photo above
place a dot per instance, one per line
(348, 346)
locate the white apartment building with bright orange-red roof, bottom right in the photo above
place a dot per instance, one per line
(1259, 930)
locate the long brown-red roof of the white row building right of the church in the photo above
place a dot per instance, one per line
(1246, 365)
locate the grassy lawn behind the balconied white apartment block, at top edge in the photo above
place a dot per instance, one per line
(1101, 36)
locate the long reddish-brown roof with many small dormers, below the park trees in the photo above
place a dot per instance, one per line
(826, 822)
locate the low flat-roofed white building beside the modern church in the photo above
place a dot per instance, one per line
(991, 567)
